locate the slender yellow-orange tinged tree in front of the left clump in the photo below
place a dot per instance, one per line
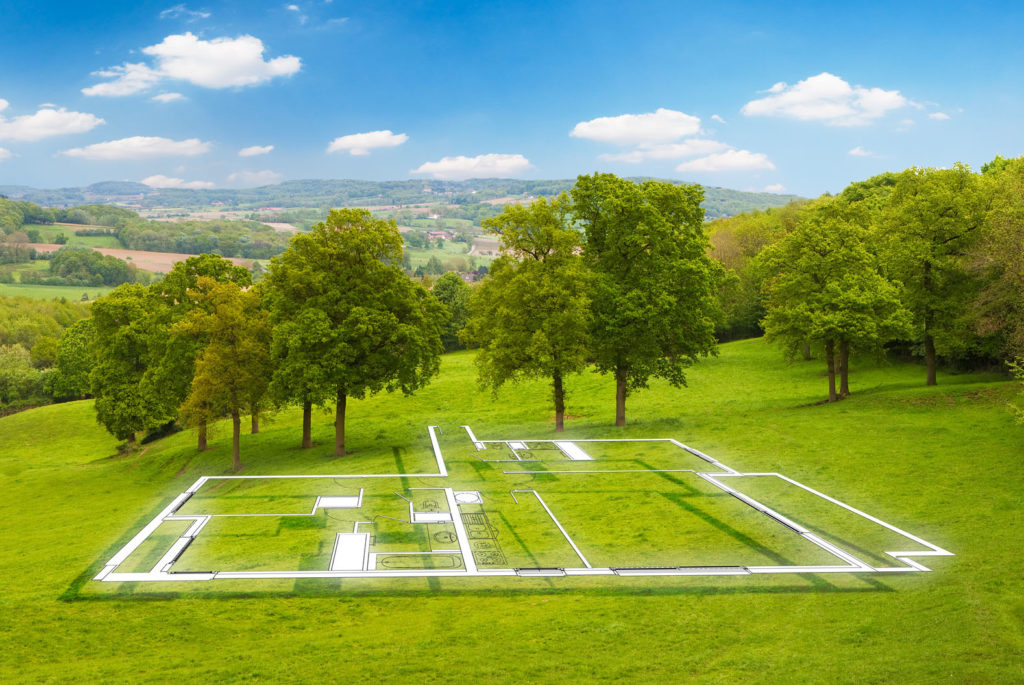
(233, 369)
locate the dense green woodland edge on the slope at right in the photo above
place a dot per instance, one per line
(926, 263)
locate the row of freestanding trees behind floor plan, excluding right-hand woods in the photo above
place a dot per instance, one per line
(617, 275)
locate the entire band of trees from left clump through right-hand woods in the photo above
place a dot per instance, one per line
(615, 276)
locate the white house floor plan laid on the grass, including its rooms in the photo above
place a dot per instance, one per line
(516, 508)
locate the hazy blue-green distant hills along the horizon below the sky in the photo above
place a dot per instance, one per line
(323, 194)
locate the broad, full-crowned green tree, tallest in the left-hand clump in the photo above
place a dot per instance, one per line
(370, 327)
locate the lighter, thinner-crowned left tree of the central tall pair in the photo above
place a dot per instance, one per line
(532, 316)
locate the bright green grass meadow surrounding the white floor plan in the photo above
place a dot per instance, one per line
(944, 463)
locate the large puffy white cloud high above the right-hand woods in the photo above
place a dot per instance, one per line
(828, 99)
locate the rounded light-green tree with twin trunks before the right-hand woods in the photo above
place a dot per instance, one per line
(826, 287)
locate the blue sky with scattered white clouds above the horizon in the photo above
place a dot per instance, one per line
(800, 99)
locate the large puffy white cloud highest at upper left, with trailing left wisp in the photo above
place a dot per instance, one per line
(221, 63)
